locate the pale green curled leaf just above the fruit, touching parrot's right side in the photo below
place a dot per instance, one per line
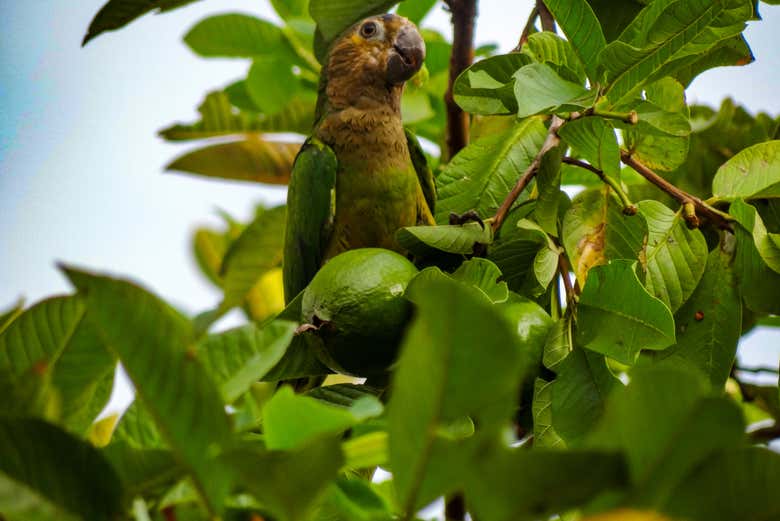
(458, 239)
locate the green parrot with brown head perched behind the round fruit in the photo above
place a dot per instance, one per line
(360, 176)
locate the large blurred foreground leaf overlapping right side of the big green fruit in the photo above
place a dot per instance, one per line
(438, 384)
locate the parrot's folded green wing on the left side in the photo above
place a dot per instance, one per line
(309, 215)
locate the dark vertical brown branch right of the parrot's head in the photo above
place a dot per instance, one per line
(464, 13)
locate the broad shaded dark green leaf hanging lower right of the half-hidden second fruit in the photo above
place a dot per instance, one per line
(579, 393)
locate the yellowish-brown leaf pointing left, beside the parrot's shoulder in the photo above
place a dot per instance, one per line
(253, 159)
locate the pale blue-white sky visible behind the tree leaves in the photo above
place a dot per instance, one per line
(80, 163)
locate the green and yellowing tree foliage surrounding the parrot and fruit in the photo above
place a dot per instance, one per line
(567, 356)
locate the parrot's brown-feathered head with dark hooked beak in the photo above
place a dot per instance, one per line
(372, 60)
